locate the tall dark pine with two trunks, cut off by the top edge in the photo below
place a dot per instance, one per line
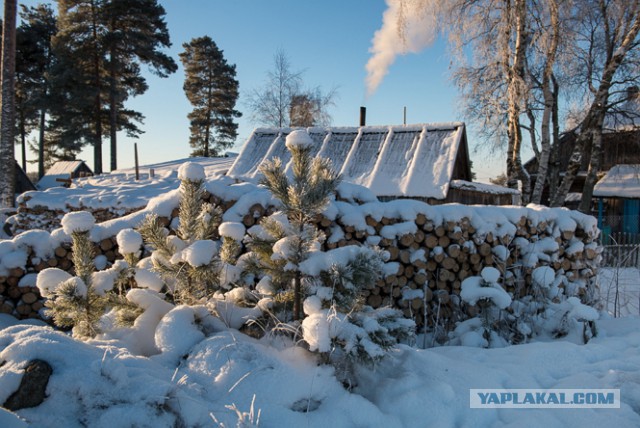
(101, 46)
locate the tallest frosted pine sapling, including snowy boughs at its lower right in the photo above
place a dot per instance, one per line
(325, 287)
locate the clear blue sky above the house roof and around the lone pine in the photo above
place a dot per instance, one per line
(329, 40)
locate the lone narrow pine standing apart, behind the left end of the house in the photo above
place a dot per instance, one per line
(212, 89)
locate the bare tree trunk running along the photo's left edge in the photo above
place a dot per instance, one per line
(7, 101)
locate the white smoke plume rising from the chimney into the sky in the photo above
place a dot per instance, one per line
(406, 28)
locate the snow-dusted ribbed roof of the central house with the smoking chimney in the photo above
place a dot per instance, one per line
(407, 160)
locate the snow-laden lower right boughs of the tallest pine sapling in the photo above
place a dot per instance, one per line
(338, 324)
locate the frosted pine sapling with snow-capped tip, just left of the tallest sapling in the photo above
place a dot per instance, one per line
(189, 260)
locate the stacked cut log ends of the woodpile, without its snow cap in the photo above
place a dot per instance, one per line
(426, 267)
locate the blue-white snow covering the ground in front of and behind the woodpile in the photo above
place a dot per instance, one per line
(226, 376)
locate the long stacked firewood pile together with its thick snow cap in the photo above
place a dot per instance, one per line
(432, 249)
